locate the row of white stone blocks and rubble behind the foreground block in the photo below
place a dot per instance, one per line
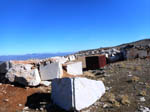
(32, 72)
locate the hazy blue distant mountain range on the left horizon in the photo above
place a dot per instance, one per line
(32, 56)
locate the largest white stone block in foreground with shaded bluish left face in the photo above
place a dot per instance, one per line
(76, 93)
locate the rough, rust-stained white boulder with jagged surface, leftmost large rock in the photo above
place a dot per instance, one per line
(23, 74)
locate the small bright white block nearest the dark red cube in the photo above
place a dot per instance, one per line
(74, 68)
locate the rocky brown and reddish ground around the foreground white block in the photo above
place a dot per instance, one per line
(127, 84)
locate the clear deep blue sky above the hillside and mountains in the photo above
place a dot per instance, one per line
(51, 26)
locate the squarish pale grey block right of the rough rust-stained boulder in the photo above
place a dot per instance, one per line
(51, 71)
